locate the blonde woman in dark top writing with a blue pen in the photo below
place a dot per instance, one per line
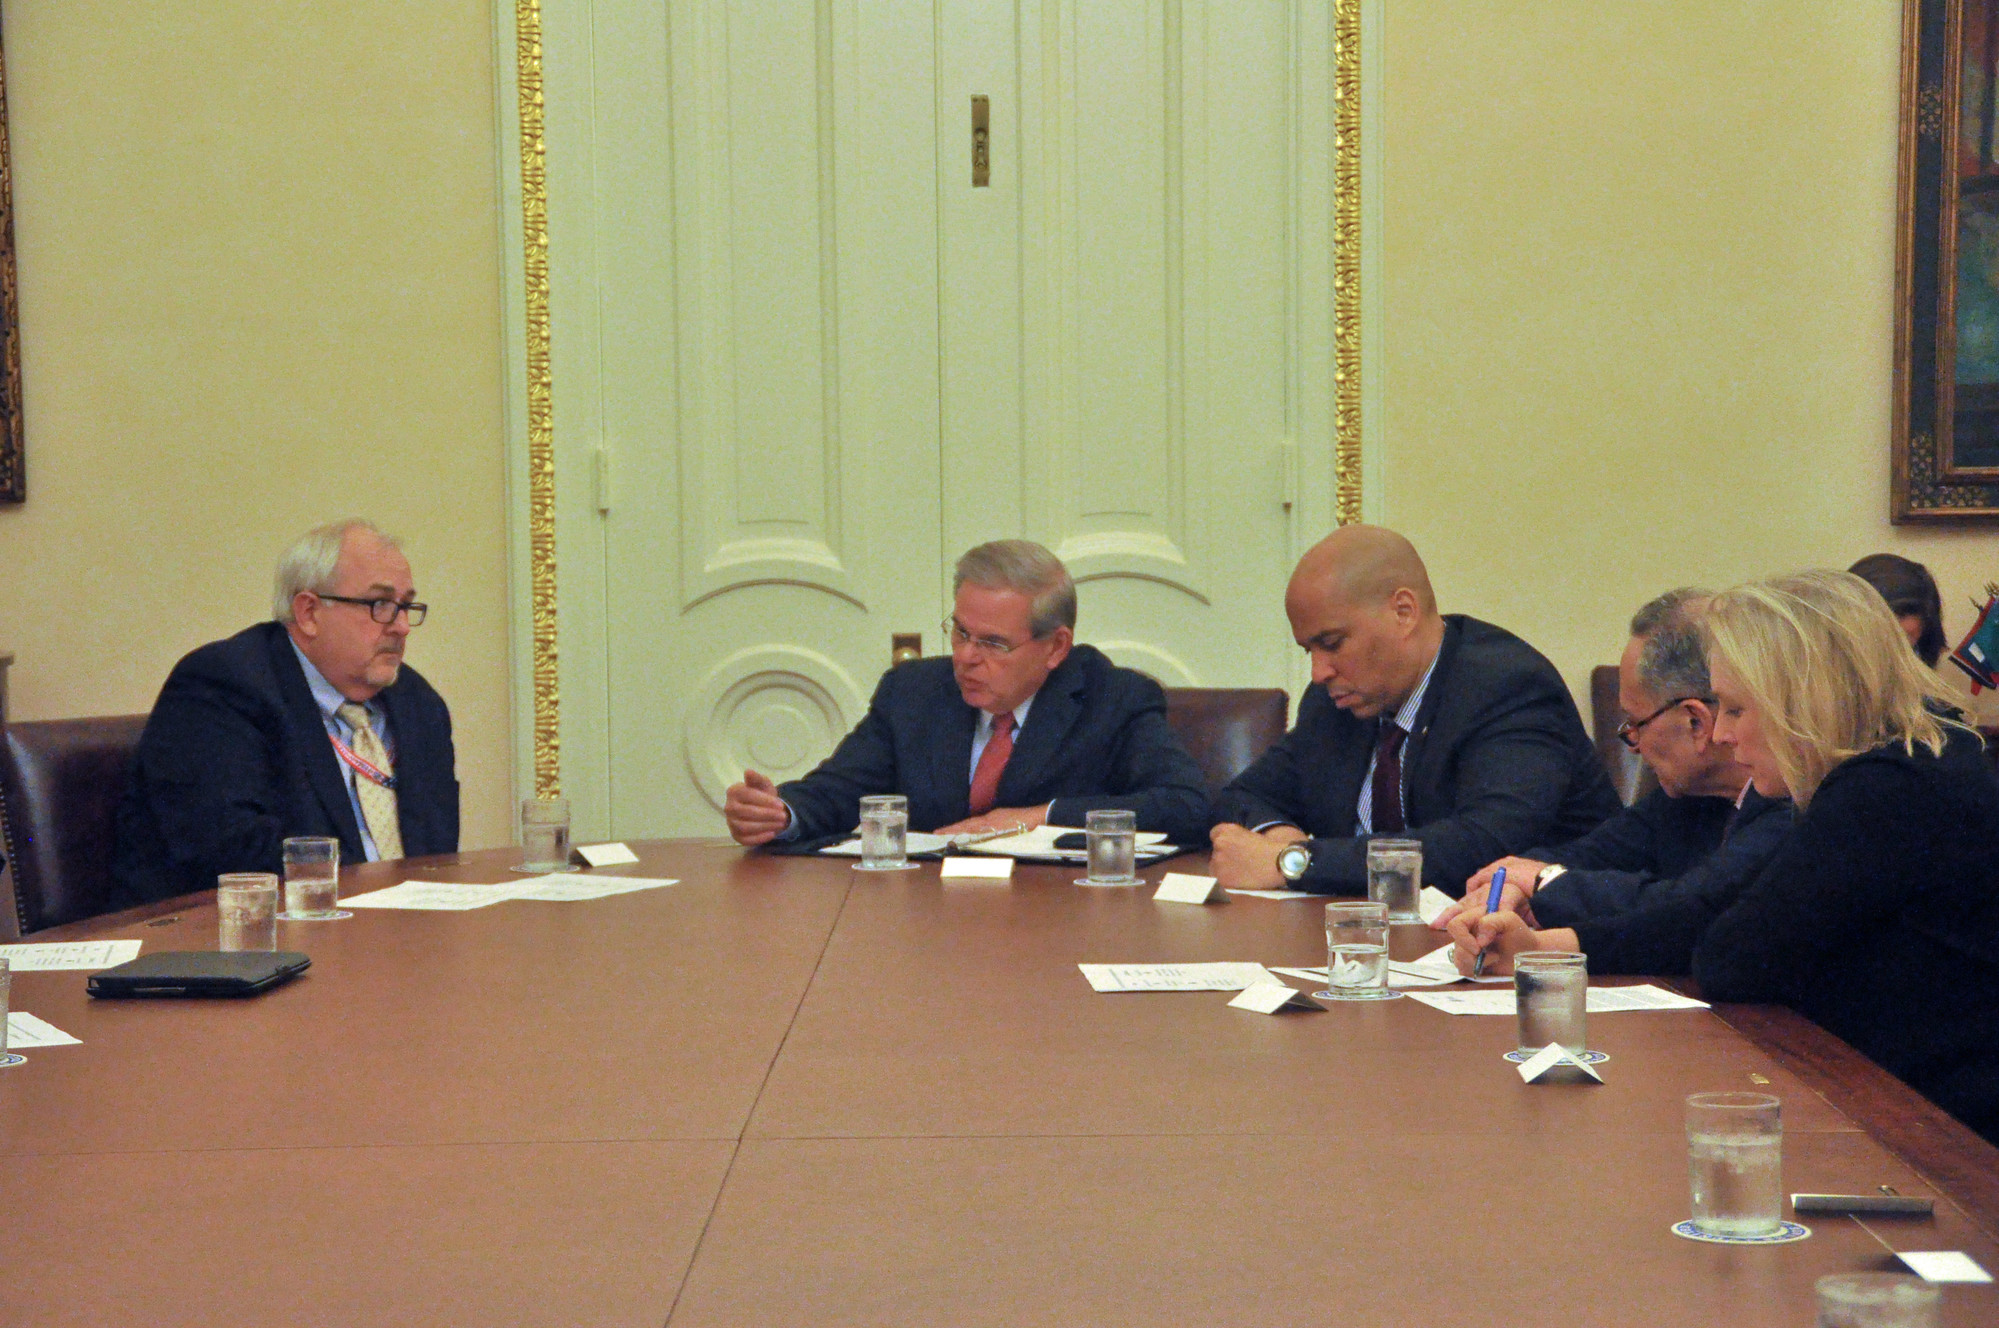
(1880, 917)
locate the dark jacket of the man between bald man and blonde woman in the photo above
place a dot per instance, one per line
(1610, 907)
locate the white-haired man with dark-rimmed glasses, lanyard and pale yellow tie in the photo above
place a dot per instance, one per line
(307, 725)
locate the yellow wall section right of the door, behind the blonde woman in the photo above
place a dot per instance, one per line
(1638, 305)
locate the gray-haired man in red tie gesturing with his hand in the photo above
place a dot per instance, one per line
(1020, 727)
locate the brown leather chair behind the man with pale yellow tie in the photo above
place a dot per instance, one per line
(61, 783)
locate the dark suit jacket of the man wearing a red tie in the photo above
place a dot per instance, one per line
(1094, 739)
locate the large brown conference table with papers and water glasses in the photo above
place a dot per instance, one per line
(787, 1093)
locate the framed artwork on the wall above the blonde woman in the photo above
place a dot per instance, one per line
(1946, 447)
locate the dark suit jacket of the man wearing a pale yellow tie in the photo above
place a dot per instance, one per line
(235, 761)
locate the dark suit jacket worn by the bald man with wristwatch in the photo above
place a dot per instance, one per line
(1496, 761)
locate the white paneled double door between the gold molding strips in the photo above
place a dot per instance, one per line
(827, 361)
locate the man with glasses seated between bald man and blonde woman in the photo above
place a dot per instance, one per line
(1704, 831)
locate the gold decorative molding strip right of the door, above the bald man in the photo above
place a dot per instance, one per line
(1348, 259)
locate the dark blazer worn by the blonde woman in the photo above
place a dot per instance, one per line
(1880, 923)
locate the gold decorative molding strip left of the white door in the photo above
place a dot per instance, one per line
(541, 405)
